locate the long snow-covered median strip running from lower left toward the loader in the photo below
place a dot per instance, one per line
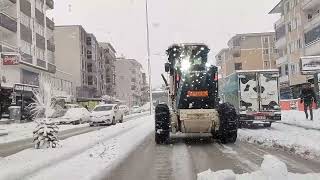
(29, 161)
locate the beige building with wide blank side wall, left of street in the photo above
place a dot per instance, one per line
(74, 55)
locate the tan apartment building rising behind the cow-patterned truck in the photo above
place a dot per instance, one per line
(247, 52)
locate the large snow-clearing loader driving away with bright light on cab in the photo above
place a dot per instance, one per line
(193, 106)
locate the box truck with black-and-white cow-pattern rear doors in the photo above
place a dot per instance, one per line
(255, 95)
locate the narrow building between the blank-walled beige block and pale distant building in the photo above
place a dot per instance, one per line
(108, 77)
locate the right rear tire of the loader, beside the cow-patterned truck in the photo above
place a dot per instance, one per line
(228, 123)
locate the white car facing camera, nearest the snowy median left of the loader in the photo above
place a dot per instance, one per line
(107, 114)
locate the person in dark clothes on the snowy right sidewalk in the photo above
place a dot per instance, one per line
(307, 97)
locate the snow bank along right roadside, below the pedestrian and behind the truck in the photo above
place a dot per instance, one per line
(288, 138)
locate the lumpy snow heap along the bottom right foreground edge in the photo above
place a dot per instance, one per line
(271, 169)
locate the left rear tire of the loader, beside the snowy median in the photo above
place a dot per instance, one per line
(162, 123)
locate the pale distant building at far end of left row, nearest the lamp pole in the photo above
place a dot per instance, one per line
(129, 81)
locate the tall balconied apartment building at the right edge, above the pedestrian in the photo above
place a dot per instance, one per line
(297, 35)
